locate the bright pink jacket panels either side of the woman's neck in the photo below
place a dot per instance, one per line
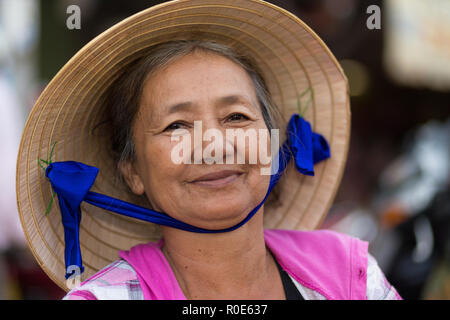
(333, 264)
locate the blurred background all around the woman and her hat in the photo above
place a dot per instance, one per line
(395, 189)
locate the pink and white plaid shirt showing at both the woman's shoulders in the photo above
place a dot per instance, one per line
(118, 281)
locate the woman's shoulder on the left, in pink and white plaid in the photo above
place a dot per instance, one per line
(117, 281)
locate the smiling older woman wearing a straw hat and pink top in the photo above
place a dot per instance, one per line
(212, 242)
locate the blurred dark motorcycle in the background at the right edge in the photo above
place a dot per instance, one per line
(413, 209)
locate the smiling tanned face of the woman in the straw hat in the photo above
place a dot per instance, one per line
(212, 89)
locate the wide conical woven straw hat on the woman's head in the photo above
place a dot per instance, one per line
(292, 58)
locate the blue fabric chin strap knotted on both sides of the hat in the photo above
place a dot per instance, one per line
(71, 181)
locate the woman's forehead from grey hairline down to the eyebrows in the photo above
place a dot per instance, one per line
(193, 79)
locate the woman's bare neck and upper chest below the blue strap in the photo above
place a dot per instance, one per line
(230, 265)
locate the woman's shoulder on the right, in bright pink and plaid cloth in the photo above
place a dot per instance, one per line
(325, 261)
